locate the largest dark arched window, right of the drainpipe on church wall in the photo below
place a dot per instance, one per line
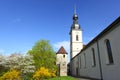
(109, 52)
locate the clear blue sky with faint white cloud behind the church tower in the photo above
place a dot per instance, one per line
(23, 22)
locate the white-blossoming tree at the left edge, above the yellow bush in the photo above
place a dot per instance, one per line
(16, 61)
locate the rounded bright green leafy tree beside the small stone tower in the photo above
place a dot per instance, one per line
(43, 55)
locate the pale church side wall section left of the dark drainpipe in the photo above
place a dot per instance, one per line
(83, 62)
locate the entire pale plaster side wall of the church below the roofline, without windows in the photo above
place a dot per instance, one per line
(109, 72)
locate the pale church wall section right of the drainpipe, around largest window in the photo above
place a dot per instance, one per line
(111, 71)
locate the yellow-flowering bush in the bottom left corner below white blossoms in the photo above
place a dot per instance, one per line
(11, 75)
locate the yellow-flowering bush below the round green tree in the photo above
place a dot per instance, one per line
(43, 73)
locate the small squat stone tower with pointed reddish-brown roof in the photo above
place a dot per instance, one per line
(61, 61)
